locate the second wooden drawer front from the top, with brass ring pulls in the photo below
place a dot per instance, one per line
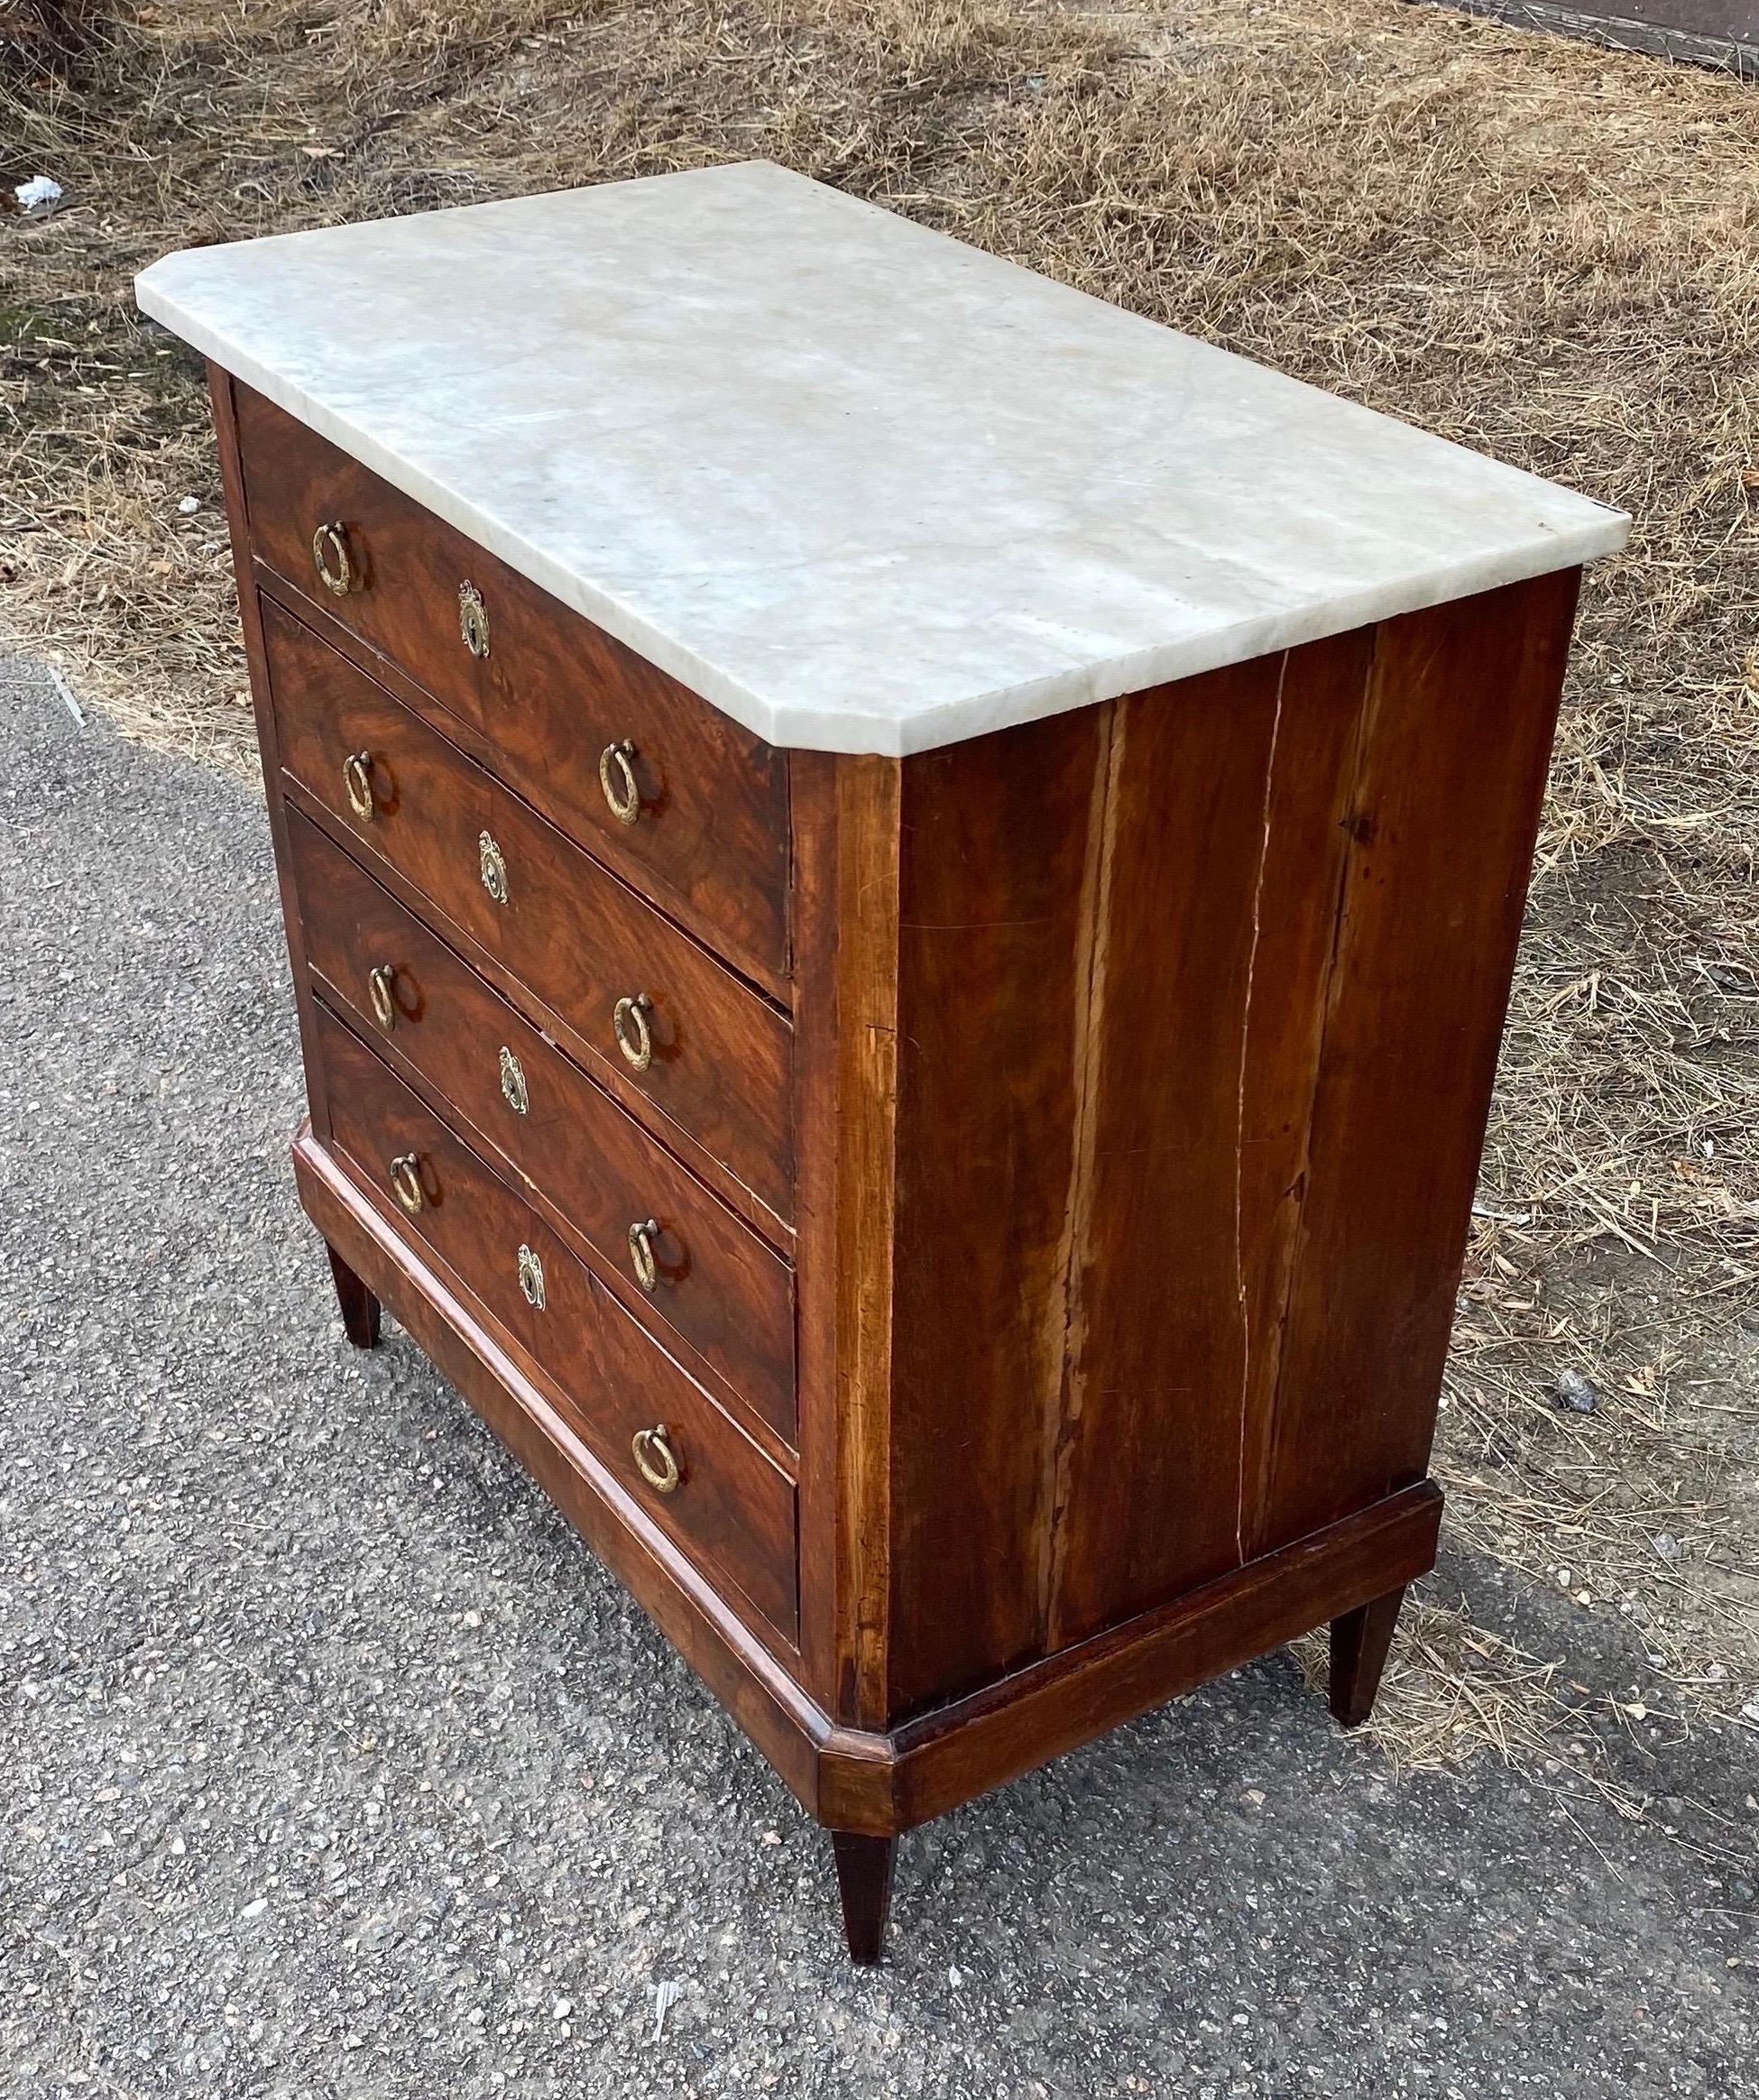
(582, 942)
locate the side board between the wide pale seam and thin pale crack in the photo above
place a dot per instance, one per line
(1147, 1494)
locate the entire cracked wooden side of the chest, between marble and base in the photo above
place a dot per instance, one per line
(1170, 980)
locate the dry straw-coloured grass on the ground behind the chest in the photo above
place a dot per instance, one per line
(1542, 249)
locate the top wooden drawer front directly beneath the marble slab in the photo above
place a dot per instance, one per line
(669, 791)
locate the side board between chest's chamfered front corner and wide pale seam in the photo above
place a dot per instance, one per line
(996, 877)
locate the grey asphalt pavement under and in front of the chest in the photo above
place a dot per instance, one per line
(337, 1767)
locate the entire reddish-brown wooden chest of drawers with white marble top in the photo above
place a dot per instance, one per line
(902, 896)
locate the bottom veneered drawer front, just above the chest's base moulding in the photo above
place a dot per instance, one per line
(732, 1509)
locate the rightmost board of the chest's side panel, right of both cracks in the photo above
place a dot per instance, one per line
(1458, 736)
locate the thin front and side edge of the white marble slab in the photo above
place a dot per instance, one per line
(847, 728)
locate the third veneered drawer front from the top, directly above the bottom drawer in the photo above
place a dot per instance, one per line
(708, 1276)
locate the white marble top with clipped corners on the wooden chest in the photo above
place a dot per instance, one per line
(857, 484)
